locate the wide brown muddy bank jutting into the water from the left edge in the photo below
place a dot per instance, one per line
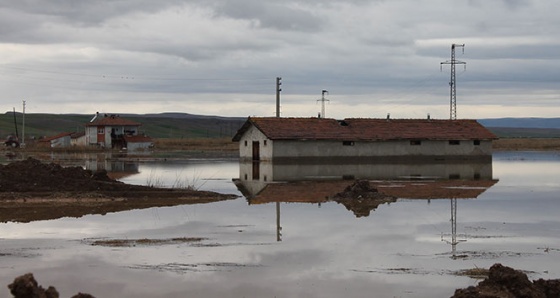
(31, 190)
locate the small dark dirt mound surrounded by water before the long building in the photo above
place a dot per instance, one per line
(361, 198)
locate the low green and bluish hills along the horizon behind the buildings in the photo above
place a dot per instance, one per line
(184, 125)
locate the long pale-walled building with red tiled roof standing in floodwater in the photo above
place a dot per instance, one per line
(362, 140)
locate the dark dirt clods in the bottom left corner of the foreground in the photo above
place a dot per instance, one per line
(26, 286)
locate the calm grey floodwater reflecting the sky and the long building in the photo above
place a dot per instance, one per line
(285, 239)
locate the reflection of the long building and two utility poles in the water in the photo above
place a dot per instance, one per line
(263, 182)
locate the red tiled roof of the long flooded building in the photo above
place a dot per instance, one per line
(361, 129)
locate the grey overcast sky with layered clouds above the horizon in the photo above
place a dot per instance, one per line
(222, 57)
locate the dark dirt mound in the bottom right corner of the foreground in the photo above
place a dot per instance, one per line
(506, 282)
